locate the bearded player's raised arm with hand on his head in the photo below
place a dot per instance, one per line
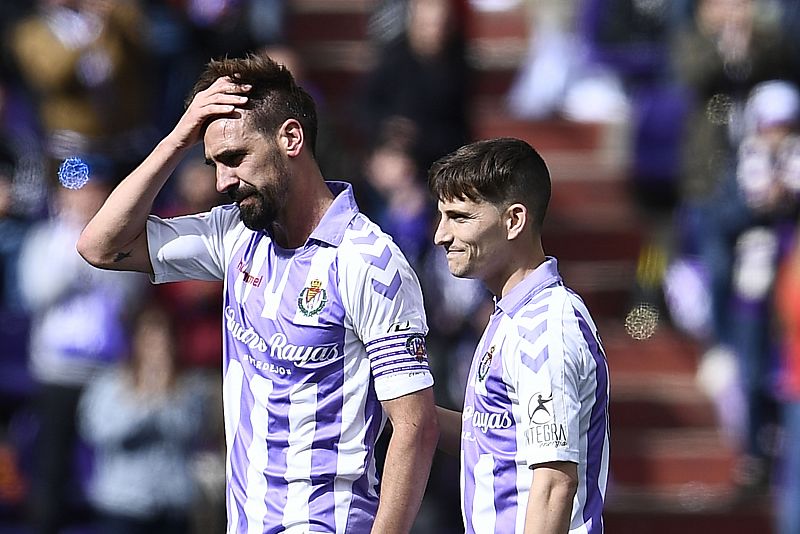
(116, 237)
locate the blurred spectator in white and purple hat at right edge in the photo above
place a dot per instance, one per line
(768, 175)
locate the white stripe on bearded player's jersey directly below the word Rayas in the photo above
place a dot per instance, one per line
(302, 409)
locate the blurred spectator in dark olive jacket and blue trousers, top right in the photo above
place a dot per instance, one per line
(719, 57)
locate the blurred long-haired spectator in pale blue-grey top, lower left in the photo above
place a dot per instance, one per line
(142, 418)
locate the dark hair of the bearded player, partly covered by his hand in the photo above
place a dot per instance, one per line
(274, 97)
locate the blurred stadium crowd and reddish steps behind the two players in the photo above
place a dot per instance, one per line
(671, 132)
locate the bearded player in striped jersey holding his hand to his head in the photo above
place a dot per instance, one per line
(323, 318)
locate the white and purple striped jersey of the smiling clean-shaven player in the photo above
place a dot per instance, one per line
(537, 392)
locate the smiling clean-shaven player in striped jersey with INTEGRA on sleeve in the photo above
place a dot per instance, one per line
(533, 435)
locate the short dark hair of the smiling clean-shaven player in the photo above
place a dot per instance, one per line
(501, 171)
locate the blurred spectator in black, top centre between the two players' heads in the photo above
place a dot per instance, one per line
(421, 78)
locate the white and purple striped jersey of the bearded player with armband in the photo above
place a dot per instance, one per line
(315, 339)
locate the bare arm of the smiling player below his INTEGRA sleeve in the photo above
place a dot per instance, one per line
(550, 499)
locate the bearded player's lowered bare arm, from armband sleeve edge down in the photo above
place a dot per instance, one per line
(408, 460)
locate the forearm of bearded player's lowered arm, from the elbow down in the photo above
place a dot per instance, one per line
(405, 476)
